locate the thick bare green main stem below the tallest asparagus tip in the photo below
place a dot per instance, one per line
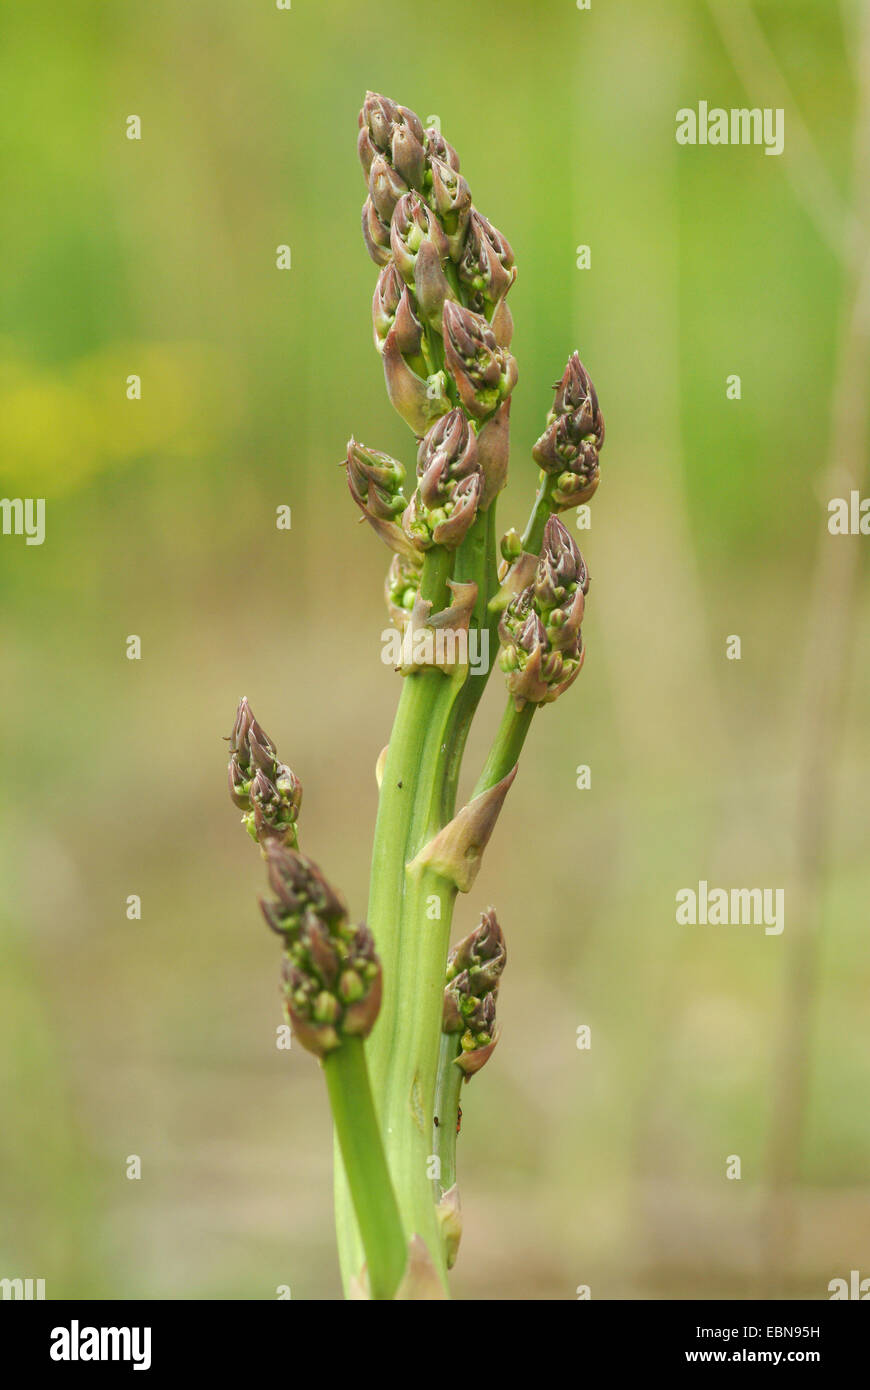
(412, 918)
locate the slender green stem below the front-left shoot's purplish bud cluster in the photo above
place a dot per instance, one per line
(359, 1139)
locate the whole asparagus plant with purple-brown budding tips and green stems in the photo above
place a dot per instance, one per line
(400, 1024)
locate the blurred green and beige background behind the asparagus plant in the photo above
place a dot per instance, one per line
(158, 258)
